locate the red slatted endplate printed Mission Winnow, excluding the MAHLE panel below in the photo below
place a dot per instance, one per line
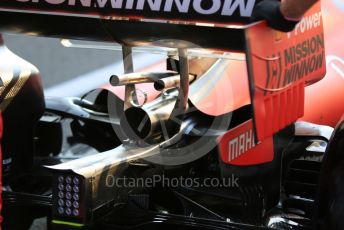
(280, 65)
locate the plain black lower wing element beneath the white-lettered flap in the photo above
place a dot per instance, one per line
(131, 33)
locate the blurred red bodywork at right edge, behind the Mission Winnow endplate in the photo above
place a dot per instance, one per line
(323, 101)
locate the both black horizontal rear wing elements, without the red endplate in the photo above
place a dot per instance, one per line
(169, 23)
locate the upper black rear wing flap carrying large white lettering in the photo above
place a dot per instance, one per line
(219, 11)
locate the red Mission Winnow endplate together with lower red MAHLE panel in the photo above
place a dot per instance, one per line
(279, 66)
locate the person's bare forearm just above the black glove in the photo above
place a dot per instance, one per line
(295, 9)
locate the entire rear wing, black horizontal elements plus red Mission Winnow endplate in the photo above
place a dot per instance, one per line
(279, 65)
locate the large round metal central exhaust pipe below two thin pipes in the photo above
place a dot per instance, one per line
(151, 121)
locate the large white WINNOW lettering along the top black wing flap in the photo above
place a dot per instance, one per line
(242, 8)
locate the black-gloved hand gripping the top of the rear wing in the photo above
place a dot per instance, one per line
(269, 10)
